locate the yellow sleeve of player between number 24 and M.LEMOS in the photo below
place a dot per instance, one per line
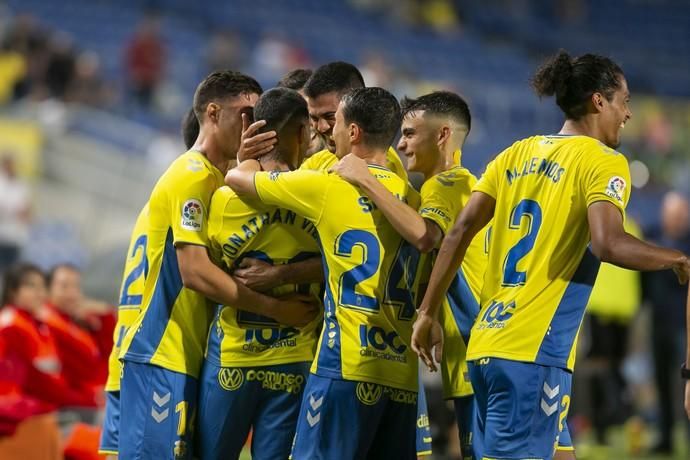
(442, 200)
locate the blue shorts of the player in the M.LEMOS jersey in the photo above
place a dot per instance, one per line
(520, 408)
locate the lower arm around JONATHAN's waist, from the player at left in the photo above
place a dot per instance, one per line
(201, 275)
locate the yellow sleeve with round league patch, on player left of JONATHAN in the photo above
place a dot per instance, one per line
(189, 195)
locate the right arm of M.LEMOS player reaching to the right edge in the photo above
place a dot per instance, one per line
(612, 244)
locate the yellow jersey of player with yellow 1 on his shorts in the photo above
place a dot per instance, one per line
(171, 329)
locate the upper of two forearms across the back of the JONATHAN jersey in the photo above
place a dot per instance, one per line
(261, 276)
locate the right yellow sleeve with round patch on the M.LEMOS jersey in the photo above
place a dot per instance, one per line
(607, 178)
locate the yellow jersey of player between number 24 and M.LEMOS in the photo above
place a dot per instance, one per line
(443, 198)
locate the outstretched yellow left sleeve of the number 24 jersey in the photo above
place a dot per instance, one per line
(304, 192)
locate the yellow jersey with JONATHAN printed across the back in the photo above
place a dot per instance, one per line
(239, 228)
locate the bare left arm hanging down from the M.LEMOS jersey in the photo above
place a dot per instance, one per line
(427, 332)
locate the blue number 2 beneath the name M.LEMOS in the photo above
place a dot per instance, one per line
(530, 210)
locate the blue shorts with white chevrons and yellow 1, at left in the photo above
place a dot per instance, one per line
(157, 407)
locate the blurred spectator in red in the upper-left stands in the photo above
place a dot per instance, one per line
(146, 60)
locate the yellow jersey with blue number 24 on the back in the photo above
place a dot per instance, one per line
(369, 307)
